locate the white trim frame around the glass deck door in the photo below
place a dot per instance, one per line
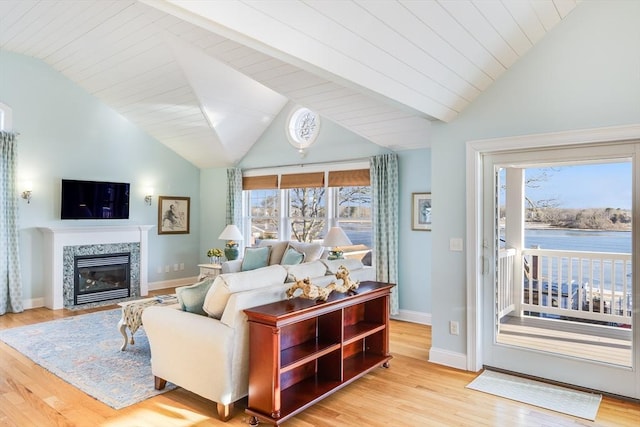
(476, 263)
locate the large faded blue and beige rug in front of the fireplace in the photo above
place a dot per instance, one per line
(85, 351)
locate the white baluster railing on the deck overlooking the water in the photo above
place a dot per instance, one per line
(574, 285)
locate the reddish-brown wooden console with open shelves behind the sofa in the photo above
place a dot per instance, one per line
(302, 350)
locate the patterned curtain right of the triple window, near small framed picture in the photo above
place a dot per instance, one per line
(384, 191)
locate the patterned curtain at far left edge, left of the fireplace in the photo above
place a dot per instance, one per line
(10, 281)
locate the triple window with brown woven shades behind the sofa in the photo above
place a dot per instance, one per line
(303, 206)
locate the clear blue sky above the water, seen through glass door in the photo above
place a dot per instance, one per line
(607, 185)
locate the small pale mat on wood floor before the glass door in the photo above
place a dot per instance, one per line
(548, 396)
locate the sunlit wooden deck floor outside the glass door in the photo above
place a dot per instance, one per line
(593, 342)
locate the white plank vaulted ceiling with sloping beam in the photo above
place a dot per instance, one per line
(206, 78)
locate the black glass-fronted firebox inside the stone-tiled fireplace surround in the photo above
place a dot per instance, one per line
(101, 277)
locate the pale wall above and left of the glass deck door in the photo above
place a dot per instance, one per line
(584, 74)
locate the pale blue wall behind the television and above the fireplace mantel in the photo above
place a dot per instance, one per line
(67, 133)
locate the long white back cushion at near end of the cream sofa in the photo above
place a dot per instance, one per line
(227, 284)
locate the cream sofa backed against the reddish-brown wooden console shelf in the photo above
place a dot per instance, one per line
(209, 354)
